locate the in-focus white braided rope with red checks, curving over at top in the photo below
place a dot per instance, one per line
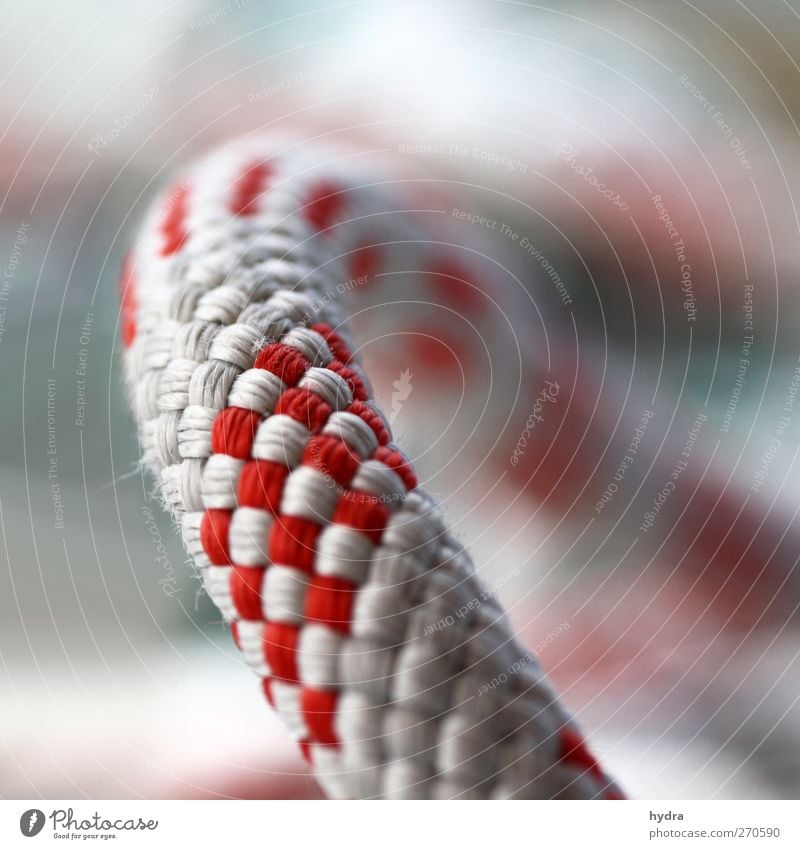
(335, 570)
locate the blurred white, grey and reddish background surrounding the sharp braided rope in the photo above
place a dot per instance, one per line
(637, 169)
